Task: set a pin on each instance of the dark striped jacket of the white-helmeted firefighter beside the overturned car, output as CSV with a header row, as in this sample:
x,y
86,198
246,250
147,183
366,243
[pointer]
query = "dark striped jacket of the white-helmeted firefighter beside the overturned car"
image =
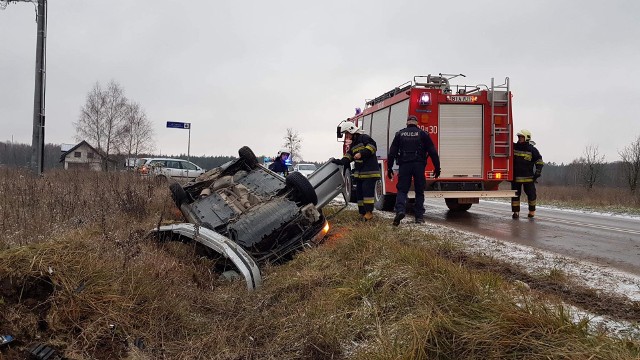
x,y
367,166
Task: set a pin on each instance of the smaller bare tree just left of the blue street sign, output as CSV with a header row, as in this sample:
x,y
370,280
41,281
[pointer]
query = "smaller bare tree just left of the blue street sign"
x,y
137,131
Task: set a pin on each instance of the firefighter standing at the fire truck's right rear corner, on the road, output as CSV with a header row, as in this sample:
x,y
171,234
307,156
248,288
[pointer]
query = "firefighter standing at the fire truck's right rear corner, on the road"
x,y
525,158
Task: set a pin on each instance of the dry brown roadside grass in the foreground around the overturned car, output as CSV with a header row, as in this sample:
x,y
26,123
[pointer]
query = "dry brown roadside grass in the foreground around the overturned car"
x,y
86,281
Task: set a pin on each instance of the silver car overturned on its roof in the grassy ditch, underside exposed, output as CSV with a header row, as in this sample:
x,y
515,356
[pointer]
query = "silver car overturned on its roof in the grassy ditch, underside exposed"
x,y
246,215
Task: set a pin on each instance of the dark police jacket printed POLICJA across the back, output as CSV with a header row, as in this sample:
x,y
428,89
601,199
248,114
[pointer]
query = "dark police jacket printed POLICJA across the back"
x,y
412,144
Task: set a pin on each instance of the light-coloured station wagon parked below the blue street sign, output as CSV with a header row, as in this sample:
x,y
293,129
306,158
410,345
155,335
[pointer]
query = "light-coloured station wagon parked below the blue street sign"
x,y
164,168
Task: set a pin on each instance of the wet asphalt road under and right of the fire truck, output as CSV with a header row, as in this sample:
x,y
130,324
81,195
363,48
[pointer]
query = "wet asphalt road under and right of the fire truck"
x,y
604,239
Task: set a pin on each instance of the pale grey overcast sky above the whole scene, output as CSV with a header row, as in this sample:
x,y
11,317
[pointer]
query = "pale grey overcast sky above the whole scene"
x,y
243,72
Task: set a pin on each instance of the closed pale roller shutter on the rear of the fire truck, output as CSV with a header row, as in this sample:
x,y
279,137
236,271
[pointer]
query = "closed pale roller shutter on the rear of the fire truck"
x,y
460,141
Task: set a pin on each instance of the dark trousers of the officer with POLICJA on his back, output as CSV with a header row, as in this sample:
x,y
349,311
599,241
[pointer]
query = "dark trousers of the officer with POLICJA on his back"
x,y
406,172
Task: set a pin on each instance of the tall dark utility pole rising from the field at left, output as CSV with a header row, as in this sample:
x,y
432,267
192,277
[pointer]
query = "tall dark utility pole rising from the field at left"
x,y
37,140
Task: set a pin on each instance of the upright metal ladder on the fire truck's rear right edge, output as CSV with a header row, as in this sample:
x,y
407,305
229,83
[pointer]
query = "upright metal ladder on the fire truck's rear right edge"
x,y
500,122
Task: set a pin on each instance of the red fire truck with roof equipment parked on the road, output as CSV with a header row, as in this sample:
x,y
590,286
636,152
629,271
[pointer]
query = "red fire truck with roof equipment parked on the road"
x,y
470,125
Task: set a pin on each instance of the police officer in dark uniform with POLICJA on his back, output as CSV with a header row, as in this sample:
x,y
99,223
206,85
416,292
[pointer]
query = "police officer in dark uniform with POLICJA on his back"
x,y
410,147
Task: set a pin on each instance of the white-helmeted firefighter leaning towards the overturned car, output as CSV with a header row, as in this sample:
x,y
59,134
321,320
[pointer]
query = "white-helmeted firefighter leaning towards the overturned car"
x,y
366,170
